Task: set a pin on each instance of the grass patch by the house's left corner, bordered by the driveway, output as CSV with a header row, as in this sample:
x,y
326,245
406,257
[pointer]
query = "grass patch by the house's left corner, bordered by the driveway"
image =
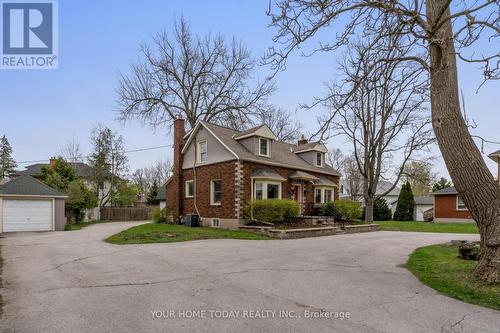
x,y
167,233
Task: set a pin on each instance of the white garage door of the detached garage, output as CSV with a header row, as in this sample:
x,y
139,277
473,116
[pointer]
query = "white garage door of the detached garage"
x,y
27,215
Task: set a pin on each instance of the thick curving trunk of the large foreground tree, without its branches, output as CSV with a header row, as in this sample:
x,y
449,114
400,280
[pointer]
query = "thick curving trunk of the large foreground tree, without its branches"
x,y
463,159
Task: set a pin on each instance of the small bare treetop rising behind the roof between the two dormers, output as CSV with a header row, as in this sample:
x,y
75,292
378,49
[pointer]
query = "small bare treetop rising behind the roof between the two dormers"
x,y
282,123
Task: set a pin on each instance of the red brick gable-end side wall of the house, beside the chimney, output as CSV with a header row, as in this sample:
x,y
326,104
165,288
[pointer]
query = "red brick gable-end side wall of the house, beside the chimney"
x,y
224,171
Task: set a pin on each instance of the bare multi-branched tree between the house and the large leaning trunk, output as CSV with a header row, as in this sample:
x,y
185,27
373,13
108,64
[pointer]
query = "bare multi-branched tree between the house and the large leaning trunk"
x,y
380,107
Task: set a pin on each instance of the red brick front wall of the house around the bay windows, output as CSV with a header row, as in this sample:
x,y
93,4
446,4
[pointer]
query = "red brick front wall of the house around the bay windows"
x,y
249,167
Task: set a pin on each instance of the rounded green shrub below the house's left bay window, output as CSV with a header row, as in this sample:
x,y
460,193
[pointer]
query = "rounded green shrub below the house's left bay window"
x,y
272,210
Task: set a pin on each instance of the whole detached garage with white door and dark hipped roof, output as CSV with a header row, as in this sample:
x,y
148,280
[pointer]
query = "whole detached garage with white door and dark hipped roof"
x,y
27,204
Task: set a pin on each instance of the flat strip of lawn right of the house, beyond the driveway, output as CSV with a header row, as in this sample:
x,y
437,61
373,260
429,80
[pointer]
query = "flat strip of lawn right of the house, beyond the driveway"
x,y
460,228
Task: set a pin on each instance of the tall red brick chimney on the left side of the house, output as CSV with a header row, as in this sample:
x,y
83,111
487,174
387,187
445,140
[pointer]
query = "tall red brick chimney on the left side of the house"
x,y
175,189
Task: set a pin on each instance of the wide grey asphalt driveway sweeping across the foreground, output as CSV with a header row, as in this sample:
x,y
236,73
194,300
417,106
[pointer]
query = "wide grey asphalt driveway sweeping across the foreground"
x,y
74,282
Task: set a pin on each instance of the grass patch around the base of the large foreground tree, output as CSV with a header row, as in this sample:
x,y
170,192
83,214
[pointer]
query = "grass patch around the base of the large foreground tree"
x,y
438,267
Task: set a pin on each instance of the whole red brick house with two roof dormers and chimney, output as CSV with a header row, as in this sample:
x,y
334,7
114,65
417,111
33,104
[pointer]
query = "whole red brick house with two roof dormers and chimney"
x,y
216,170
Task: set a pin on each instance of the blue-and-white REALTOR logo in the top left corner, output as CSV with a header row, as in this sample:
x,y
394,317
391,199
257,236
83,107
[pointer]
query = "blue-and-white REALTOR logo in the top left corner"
x,y
29,34
